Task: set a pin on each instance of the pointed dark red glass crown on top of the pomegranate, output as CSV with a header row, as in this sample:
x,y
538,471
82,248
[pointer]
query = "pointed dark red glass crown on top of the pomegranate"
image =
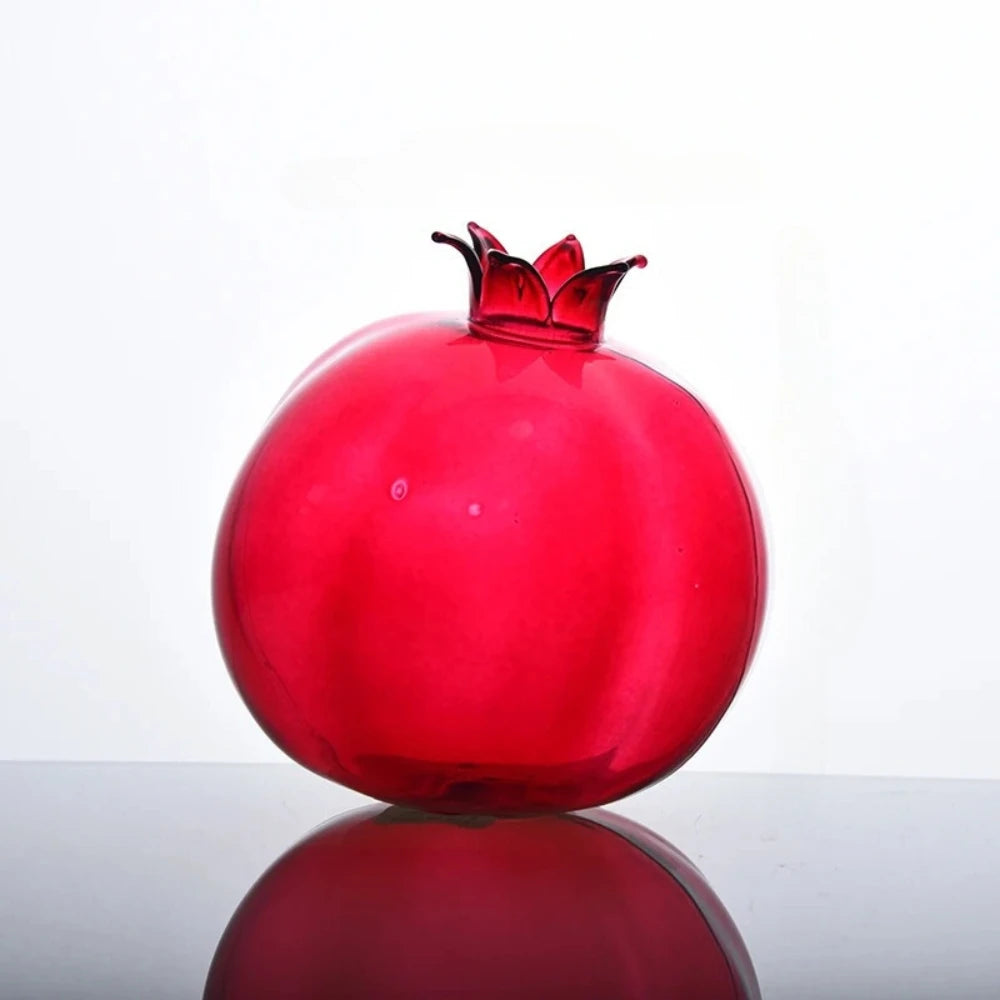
x,y
553,301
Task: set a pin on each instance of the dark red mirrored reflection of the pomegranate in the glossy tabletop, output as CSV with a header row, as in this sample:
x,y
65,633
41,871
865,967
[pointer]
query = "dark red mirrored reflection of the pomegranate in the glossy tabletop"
x,y
388,902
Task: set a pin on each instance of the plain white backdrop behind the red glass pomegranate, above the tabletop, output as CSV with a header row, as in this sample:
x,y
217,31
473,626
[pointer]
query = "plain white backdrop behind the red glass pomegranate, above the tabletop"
x,y
196,199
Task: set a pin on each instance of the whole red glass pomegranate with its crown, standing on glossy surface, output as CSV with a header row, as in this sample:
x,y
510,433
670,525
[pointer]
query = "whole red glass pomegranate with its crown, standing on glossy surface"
x,y
487,564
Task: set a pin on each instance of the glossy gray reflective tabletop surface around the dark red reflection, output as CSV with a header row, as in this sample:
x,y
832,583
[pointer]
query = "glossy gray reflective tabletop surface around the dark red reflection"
x,y
116,880
